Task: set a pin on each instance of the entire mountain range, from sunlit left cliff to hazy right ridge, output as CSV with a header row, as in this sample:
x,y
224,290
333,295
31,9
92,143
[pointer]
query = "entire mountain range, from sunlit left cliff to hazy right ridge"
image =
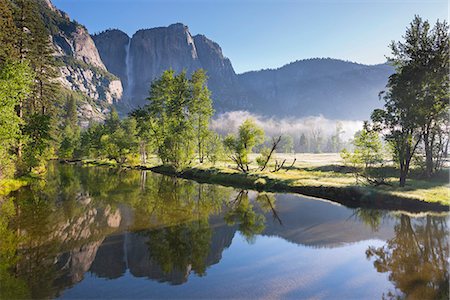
x,y
113,68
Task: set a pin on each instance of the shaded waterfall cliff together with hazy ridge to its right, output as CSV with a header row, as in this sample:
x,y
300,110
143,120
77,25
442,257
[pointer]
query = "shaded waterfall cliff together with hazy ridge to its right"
x,y
334,88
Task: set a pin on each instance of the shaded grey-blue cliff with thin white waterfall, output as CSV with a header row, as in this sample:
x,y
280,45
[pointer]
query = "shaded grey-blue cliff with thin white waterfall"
x,y
140,60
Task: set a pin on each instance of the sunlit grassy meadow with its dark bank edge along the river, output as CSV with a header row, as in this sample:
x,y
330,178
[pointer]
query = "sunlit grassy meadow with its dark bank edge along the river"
x,y
319,175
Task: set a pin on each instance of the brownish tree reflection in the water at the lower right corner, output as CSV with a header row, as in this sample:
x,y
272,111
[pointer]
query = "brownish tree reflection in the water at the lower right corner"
x,y
416,258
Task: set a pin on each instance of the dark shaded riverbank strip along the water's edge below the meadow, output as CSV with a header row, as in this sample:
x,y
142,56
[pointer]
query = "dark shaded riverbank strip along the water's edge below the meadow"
x,y
350,196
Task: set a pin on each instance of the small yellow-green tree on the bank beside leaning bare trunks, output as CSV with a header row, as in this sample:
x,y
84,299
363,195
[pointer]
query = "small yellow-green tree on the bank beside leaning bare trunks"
x,y
249,135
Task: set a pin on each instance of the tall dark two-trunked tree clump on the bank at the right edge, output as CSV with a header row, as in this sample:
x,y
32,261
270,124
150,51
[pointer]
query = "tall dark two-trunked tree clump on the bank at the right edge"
x,y
417,93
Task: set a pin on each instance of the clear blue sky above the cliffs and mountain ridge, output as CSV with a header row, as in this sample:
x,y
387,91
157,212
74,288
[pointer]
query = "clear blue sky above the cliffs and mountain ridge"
x,y
268,33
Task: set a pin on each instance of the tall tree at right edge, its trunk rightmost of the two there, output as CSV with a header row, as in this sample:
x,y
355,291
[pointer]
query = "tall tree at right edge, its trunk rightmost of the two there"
x,y
426,53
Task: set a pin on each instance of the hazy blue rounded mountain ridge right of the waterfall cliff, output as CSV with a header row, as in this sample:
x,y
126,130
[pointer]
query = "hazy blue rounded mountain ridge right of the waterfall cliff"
x,y
334,88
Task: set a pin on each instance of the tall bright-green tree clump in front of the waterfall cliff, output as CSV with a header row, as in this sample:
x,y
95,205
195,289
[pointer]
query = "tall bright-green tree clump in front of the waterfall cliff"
x,y
176,120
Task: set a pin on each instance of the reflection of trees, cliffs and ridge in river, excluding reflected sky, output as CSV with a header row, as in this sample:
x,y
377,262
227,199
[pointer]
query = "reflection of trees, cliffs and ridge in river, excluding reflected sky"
x,y
112,223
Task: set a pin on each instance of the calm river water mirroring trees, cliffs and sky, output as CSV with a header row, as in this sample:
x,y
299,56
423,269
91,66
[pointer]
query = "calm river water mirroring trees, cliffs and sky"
x,y
101,233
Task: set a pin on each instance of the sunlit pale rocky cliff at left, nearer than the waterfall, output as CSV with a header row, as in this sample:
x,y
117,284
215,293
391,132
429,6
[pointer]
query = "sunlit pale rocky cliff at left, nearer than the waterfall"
x,y
81,68
